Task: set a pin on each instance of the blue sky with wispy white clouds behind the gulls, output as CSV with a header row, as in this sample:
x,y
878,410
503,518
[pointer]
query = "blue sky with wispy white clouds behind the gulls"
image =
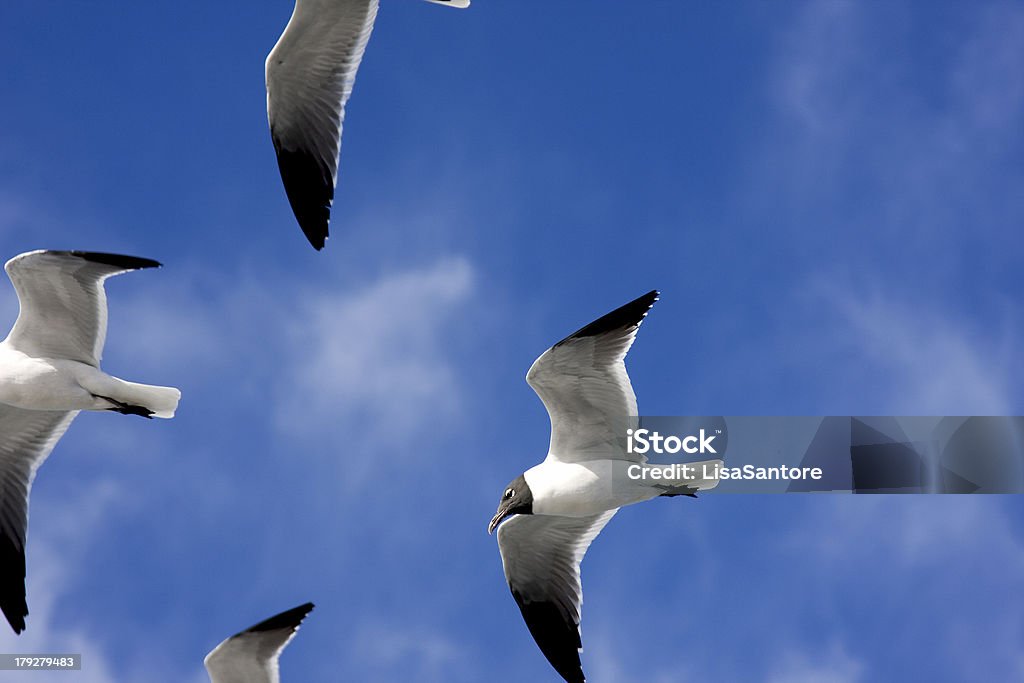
x,y
829,196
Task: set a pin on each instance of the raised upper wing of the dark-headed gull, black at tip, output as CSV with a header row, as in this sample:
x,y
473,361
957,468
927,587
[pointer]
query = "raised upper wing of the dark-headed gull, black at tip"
x,y
583,383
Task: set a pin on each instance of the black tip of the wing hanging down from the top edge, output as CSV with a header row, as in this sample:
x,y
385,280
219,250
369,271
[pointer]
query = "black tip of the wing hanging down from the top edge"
x,y
310,187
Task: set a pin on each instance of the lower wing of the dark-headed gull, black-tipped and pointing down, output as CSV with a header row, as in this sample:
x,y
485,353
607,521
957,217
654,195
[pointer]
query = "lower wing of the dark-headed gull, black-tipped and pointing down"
x,y
541,556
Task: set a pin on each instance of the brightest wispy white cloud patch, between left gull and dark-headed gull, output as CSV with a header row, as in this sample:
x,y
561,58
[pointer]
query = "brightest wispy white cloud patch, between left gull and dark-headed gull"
x,y
376,354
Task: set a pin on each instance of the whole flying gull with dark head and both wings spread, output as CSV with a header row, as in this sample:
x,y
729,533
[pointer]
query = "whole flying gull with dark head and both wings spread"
x,y
549,516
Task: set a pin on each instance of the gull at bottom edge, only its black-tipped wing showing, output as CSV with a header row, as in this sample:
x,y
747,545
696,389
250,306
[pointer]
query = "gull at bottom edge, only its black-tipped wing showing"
x,y
251,657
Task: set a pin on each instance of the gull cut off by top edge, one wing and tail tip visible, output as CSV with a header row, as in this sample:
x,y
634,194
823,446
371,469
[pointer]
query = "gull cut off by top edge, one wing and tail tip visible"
x,y
310,77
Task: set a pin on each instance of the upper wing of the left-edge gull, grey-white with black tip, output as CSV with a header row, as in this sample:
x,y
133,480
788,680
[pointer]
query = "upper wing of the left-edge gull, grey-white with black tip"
x,y
64,307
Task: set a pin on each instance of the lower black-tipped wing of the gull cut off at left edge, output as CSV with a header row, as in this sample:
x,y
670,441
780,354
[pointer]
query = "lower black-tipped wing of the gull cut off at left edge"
x,y
27,438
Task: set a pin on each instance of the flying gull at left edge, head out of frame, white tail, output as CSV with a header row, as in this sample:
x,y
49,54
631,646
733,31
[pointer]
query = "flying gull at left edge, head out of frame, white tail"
x,y
50,371
